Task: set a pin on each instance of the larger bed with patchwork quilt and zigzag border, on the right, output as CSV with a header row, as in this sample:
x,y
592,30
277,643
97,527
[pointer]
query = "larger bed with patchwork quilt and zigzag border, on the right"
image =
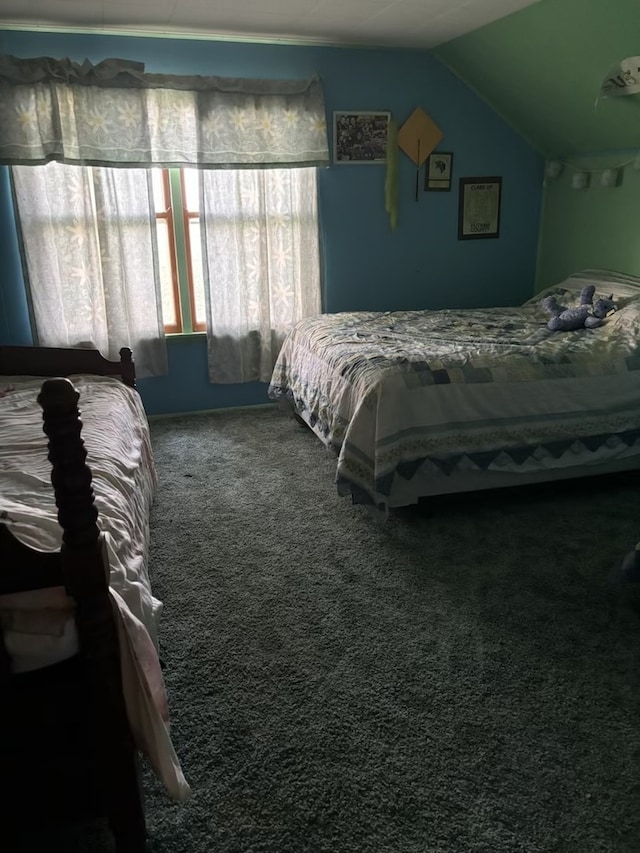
x,y
420,403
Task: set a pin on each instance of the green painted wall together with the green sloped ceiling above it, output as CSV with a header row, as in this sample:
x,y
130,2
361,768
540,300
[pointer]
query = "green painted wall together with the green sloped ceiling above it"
x,y
541,69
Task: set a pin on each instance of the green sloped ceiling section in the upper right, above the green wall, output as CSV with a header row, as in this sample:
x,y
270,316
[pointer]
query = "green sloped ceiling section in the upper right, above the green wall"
x,y
541,69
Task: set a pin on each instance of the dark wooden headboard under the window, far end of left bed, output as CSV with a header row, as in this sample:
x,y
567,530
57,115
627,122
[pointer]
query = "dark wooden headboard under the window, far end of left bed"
x,y
54,361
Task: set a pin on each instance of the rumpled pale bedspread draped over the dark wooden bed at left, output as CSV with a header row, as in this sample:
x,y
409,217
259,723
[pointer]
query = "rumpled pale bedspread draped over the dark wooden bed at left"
x,y
38,627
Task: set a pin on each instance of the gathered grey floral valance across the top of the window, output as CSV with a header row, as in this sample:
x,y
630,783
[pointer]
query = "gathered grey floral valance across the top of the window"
x,y
115,114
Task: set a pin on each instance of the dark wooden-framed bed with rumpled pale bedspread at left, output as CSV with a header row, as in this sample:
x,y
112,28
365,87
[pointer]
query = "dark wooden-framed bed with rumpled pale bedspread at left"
x,y
77,613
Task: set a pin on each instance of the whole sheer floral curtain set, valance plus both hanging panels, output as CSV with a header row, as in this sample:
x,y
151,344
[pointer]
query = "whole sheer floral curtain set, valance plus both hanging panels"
x,y
88,234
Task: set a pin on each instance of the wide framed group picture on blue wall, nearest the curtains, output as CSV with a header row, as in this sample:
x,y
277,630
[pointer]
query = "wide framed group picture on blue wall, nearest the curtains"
x,y
360,137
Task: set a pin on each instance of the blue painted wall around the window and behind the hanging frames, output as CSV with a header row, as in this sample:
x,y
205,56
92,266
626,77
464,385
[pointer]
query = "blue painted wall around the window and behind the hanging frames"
x,y
366,266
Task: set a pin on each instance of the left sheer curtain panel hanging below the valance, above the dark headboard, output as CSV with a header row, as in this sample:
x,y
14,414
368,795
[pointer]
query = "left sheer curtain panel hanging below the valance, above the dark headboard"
x,y
89,245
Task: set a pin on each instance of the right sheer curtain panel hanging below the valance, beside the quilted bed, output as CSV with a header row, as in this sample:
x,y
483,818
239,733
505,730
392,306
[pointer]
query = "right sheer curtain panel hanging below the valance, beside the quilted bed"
x,y
261,257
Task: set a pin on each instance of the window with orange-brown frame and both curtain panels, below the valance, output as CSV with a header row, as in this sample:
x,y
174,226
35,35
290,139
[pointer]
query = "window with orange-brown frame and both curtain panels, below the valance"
x,y
109,261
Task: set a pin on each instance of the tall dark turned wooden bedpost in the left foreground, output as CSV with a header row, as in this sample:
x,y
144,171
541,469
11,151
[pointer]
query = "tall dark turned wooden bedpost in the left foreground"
x,y
85,572
